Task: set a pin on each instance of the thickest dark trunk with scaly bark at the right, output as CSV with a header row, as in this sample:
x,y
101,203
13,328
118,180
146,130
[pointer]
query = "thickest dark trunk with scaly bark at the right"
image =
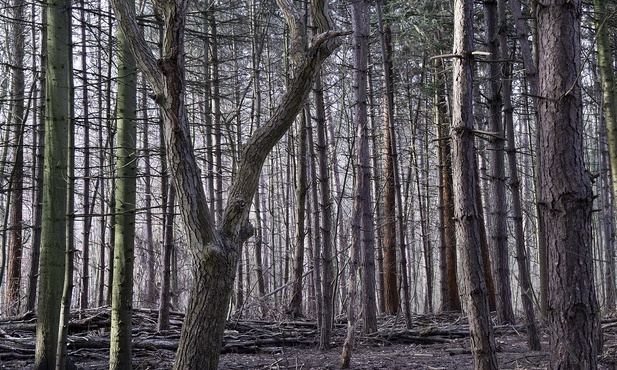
x,y
566,197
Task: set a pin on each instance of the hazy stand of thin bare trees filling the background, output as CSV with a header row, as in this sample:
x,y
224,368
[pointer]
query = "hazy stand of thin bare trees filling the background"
x,y
237,63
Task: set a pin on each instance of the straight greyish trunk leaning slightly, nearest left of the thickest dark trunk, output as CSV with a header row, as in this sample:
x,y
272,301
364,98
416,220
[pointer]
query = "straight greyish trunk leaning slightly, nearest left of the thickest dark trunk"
x,y
466,210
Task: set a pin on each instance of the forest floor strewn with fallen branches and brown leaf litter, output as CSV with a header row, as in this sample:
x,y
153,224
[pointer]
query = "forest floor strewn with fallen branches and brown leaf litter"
x,y
439,341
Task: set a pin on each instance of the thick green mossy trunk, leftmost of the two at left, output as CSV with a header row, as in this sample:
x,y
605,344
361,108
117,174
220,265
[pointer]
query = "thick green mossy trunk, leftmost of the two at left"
x,y
53,233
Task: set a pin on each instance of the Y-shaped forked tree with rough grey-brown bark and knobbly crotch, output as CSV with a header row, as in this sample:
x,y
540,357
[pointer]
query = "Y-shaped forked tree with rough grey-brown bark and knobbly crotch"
x,y
215,246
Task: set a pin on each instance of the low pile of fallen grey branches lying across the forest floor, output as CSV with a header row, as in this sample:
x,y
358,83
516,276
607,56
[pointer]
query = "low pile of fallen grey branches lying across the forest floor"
x,y
89,336
